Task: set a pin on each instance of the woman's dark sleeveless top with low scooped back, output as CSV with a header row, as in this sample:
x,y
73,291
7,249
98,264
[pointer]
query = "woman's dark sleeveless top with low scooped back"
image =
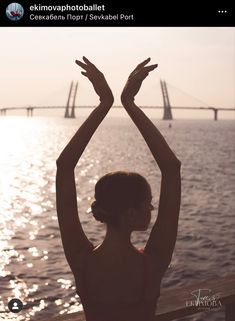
x,y
141,310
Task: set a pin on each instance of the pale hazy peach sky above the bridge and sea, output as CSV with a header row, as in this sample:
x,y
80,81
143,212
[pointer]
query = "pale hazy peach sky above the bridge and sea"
x,y
37,65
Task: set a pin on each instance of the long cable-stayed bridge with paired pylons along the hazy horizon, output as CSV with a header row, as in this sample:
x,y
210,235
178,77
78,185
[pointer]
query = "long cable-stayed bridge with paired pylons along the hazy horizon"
x,y
70,111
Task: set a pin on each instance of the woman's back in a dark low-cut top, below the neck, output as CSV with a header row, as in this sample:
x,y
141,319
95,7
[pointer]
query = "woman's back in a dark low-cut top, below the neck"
x,y
118,285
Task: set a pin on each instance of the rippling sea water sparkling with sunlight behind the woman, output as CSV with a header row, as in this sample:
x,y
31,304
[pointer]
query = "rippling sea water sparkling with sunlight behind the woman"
x,y
33,267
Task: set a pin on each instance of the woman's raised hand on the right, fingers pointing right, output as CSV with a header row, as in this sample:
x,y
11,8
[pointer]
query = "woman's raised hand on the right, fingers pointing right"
x,y
135,80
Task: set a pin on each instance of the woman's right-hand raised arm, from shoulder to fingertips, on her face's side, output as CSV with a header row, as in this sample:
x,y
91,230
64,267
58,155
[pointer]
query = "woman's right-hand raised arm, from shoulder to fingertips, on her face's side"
x,y
162,238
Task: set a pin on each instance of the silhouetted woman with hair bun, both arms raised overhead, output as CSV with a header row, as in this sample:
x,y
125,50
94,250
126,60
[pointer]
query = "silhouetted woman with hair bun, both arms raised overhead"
x,y
115,281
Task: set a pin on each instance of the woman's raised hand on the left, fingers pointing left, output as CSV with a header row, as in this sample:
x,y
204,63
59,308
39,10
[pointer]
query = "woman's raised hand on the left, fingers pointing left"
x,y
98,81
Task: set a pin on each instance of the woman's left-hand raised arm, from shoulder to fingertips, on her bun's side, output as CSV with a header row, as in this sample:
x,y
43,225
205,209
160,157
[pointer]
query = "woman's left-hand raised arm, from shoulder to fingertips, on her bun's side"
x,y
74,240
